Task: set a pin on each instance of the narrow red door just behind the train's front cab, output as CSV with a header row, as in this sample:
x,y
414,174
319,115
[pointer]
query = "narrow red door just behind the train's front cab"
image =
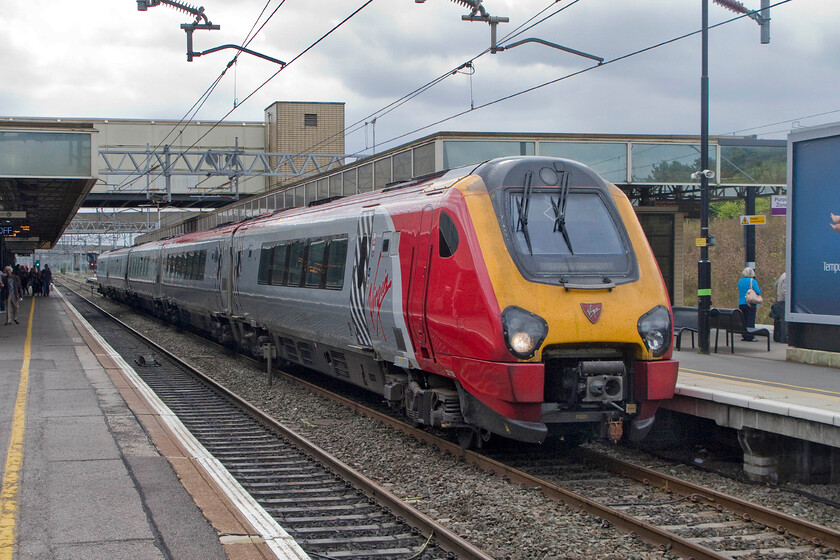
x,y
419,282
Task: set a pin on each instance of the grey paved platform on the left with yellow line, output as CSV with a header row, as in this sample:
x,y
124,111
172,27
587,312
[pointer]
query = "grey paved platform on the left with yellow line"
x,y
90,469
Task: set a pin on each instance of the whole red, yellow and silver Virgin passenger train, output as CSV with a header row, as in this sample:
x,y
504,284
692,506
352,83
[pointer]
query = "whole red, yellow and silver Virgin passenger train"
x,y
518,297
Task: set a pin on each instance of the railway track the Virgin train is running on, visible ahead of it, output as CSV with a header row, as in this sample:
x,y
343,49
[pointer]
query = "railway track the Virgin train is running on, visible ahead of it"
x,y
685,519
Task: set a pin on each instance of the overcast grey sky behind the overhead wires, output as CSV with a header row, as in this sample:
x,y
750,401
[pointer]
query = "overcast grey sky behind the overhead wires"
x,y
106,59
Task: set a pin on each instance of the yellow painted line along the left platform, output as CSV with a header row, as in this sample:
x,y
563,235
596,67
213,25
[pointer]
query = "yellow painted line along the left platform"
x,y
14,457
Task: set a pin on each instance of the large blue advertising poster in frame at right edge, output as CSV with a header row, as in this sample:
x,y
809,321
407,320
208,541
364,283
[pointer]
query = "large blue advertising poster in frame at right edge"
x,y
813,241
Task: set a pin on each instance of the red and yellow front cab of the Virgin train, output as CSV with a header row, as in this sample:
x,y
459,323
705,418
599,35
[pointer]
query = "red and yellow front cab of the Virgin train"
x,y
587,350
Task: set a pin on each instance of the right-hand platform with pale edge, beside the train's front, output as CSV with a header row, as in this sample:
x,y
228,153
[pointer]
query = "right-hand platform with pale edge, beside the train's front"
x,y
779,407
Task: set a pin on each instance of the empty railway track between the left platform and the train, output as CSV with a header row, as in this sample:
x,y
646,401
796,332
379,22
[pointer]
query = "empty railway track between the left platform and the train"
x,y
331,510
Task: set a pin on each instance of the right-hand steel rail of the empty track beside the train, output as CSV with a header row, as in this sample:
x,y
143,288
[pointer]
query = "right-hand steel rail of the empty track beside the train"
x,y
445,539
